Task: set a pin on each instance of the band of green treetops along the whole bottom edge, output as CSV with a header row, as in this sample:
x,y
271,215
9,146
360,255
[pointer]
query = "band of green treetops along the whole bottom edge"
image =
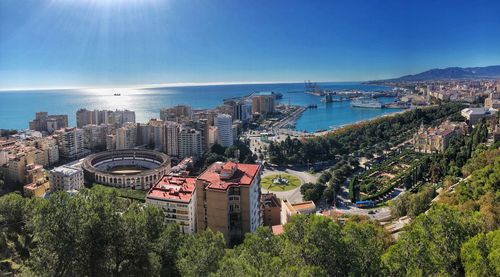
x,y
89,234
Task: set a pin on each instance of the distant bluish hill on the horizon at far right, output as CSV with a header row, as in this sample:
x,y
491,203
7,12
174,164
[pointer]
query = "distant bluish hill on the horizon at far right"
x,y
486,72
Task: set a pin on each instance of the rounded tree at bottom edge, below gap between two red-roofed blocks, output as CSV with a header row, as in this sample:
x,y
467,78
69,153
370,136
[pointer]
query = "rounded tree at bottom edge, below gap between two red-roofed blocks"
x,y
199,254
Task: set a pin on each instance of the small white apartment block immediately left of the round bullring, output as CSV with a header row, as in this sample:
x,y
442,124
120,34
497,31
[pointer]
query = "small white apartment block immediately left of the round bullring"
x,y
66,178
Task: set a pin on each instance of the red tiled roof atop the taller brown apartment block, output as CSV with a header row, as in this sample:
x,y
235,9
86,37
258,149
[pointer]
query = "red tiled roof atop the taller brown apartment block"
x,y
242,176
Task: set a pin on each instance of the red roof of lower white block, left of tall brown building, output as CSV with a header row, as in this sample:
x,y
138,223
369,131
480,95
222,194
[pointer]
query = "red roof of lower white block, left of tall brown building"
x,y
173,188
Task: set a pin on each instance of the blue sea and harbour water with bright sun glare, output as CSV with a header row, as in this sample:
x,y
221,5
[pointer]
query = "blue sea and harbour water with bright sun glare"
x,y
17,108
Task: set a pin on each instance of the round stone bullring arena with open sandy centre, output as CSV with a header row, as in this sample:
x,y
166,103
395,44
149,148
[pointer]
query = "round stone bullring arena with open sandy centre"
x,y
129,168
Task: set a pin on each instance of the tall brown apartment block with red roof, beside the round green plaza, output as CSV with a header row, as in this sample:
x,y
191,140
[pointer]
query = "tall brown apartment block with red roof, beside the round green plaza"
x,y
228,199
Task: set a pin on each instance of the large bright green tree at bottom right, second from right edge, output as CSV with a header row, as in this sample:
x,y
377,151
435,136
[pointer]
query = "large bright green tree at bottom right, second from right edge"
x,y
431,244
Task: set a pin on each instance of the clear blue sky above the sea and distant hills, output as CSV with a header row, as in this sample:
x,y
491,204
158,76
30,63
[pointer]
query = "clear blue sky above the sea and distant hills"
x,y
71,43
